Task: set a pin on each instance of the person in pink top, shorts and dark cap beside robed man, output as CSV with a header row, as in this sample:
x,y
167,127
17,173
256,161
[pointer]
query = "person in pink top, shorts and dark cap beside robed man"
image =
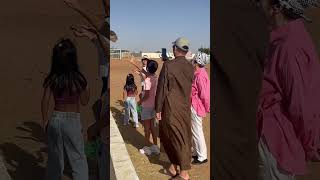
x,y
148,109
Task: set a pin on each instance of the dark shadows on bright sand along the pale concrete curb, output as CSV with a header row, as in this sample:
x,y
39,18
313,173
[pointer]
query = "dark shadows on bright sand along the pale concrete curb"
x,y
131,136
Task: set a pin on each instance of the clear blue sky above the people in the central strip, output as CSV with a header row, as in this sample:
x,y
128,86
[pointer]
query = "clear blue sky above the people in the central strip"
x,y
149,25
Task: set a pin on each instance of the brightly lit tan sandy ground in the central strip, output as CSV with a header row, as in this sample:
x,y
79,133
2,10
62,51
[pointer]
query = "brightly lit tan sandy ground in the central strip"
x,y
146,167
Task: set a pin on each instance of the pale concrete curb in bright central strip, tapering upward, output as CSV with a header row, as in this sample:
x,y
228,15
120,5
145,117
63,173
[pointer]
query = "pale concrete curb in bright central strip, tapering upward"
x,y
120,159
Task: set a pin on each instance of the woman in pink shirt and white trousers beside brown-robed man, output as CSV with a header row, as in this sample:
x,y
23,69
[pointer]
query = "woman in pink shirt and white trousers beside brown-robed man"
x,y
200,105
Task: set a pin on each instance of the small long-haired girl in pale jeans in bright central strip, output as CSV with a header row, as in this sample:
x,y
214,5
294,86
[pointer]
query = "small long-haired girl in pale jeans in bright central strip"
x,y
129,97
